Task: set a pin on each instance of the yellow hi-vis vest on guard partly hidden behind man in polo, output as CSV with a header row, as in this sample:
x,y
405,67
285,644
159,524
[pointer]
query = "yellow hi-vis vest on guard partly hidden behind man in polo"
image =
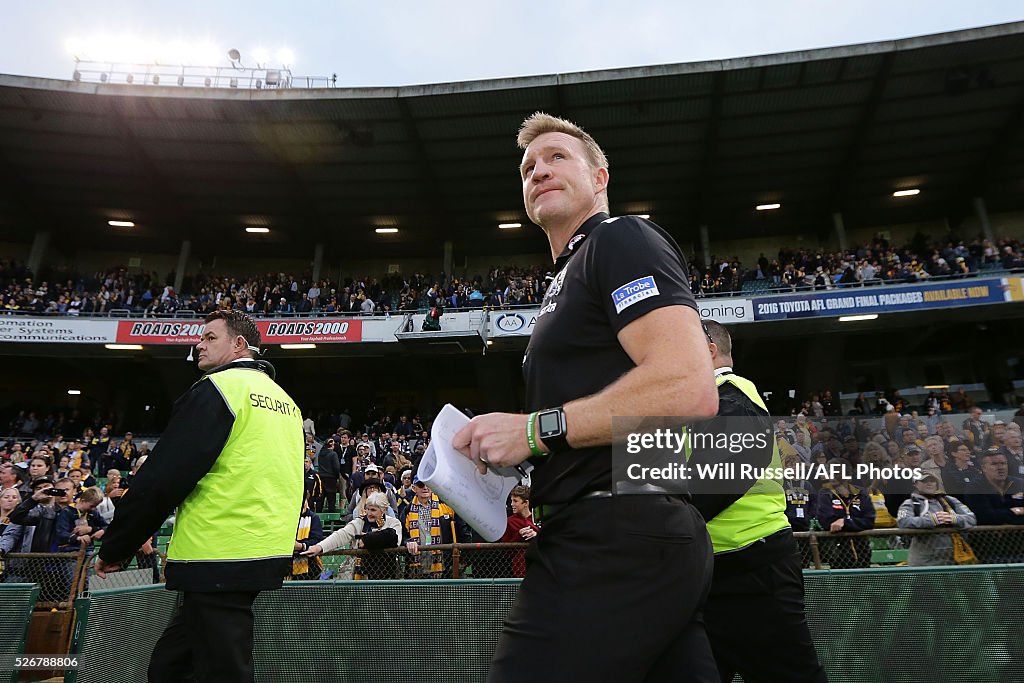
x,y
761,511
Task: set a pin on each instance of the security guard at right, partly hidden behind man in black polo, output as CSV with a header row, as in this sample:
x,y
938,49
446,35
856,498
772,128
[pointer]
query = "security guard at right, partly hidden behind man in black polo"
x,y
755,613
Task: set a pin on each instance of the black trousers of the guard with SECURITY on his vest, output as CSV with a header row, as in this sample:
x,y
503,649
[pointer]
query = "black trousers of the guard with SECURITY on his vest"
x,y
209,641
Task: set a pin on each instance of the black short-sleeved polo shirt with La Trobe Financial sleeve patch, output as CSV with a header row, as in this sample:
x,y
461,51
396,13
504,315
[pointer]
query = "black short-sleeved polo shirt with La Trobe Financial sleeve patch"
x,y
613,272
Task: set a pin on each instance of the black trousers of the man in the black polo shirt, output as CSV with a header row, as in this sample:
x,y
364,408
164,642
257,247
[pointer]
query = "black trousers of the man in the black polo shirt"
x,y
614,591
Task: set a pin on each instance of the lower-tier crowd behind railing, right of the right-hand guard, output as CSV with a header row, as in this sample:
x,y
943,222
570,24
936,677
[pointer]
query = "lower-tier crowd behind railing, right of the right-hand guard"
x,y
970,474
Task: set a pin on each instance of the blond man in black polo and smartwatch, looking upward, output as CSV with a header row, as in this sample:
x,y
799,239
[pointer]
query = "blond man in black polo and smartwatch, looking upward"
x,y
618,334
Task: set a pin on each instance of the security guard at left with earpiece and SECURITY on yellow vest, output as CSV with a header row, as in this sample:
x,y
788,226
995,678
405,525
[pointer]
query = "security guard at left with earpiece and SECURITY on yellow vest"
x,y
235,528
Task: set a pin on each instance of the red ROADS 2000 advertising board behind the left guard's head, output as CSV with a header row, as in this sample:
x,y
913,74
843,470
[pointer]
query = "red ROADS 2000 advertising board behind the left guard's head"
x,y
273,332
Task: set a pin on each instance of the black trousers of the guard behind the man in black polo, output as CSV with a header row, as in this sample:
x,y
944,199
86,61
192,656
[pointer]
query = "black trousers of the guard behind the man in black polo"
x,y
756,619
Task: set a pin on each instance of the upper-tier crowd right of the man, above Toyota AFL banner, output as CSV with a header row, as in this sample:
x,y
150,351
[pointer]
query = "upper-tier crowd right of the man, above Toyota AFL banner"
x,y
875,264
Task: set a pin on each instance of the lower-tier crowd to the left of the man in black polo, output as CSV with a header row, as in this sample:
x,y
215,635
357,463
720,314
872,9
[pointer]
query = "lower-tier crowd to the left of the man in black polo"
x,y
366,475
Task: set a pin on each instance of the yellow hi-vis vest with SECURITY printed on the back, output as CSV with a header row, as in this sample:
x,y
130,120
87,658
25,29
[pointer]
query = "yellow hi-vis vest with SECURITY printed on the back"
x,y
247,506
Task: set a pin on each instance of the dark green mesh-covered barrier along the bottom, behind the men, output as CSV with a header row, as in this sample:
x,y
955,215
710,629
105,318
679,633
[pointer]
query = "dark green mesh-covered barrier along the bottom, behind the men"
x,y
951,625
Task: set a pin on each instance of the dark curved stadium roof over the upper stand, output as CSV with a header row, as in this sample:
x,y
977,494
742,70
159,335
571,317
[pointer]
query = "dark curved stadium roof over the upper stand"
x,y
693,144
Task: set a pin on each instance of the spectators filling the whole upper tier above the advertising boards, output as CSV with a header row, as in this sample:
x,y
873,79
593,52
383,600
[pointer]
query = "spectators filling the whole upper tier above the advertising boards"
x,y
61,291
